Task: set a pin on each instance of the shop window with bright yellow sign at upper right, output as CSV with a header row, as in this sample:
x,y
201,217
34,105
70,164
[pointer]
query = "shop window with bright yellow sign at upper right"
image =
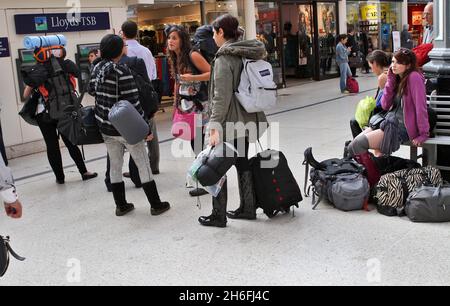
x,y
377,20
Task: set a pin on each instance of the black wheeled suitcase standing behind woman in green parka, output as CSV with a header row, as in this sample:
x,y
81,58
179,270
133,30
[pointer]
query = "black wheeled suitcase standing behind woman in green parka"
x,y
275,186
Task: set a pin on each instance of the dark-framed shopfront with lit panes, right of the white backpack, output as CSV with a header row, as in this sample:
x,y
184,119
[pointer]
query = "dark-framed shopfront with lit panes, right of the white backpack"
x,y
309,40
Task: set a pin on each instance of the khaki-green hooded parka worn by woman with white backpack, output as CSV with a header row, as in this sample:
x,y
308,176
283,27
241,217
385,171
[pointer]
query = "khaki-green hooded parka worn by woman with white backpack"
x,y
225,78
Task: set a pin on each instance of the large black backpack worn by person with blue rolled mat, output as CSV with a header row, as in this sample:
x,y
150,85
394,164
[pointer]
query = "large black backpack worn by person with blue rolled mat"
x,y
61,91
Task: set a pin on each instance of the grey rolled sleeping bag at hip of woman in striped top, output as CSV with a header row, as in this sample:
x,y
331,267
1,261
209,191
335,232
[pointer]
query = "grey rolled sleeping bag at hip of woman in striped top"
x,y
128,122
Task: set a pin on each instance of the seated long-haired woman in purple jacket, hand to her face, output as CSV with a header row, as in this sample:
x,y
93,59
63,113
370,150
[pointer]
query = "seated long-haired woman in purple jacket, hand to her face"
x,y
405,96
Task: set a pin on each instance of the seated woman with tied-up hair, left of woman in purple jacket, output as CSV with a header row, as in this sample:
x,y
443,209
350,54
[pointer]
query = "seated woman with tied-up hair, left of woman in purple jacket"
x,y
379,63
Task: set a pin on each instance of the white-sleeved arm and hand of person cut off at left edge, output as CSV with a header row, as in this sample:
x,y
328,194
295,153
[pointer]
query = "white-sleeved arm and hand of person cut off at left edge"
x,y
13,207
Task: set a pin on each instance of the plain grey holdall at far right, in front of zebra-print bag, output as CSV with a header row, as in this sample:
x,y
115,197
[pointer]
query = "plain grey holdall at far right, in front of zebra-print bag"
x,y
429,204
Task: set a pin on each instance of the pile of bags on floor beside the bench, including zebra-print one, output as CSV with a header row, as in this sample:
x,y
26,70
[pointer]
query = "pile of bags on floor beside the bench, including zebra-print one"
x,y
397,186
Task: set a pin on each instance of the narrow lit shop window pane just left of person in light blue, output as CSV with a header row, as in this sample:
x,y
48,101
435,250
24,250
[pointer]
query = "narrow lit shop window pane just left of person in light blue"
x,y
327,37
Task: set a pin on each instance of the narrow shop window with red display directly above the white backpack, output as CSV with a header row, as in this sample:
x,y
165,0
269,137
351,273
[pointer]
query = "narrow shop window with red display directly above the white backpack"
x,y
267,31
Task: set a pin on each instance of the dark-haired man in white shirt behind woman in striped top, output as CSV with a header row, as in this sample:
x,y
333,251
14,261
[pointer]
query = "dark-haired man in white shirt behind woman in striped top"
x,y
129,33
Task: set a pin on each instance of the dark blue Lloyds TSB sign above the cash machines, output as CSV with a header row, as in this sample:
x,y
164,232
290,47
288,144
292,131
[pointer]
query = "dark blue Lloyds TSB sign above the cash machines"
x,y
57,23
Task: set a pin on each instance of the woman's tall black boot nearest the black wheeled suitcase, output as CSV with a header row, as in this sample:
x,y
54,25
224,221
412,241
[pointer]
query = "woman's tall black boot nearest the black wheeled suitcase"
x,y
247,208
